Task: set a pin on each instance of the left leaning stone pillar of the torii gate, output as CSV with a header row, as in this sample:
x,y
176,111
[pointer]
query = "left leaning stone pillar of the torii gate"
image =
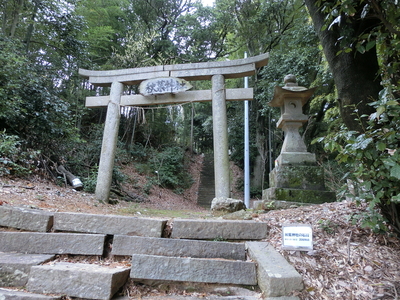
x,y
109,145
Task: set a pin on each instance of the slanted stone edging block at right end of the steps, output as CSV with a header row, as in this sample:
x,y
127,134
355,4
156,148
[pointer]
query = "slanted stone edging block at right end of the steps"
x,y
276,277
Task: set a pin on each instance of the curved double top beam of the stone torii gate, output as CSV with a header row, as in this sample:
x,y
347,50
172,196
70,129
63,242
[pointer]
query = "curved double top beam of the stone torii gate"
x,y
193,71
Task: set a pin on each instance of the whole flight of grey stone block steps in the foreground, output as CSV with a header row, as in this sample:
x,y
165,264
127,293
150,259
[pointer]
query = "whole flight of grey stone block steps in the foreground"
x,y
190,254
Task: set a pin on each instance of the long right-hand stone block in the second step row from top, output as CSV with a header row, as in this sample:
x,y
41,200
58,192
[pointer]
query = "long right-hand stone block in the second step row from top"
x,y
128,245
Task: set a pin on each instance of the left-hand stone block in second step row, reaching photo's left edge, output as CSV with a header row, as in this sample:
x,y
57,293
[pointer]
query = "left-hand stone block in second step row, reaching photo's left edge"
x,y
52,243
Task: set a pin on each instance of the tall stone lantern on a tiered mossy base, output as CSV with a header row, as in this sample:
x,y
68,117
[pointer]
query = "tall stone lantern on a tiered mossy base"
x,y
296,176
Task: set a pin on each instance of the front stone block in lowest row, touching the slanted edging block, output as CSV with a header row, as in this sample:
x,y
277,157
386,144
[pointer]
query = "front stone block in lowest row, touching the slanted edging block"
x,y
152,267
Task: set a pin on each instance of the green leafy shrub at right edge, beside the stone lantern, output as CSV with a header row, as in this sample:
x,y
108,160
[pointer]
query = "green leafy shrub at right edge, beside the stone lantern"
x,y
374,158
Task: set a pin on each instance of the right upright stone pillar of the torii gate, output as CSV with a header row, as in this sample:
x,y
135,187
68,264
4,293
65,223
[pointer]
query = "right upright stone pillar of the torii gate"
x,y
220,137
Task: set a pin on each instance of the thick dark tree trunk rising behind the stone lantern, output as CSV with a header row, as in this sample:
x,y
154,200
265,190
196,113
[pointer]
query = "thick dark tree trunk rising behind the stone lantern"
x,y
356,75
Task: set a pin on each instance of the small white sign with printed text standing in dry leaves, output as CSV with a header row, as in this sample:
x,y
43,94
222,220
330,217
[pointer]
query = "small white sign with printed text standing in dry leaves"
x,y
297,237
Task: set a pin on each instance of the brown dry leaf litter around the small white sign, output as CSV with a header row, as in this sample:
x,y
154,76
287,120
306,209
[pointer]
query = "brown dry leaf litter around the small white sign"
x,y
347,261
